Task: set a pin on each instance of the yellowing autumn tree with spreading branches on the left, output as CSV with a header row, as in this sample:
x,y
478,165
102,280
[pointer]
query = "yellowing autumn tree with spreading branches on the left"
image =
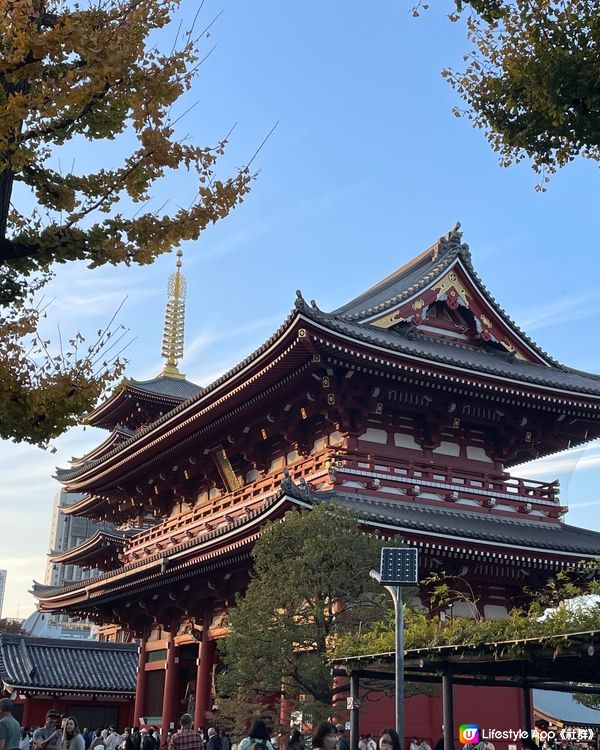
x,y
92,74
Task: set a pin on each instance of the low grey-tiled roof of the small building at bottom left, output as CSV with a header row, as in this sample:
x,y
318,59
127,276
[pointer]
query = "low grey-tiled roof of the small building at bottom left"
x,y
63,666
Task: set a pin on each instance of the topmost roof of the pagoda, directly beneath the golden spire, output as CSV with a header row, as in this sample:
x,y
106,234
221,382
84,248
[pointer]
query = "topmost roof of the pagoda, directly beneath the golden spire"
x,y
163,392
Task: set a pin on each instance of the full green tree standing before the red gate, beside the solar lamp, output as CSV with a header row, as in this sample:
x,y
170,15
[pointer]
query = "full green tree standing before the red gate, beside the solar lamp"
x,y
311,585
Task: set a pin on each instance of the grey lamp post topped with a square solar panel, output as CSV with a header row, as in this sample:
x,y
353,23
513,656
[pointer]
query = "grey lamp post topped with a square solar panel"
x,y
398,568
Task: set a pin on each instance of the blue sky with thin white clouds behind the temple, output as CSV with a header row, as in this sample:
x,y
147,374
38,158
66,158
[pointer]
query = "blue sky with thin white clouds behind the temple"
x,y
366,168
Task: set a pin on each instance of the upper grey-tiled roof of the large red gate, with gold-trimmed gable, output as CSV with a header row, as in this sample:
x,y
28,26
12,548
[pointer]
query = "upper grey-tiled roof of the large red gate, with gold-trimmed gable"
x,y
365,330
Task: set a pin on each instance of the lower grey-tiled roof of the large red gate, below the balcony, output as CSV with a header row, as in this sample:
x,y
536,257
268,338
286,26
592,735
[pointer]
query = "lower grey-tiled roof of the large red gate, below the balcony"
x,y
541,543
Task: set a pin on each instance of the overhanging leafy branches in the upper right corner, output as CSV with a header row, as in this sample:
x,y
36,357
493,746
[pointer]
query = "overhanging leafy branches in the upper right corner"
x,y
531,80
